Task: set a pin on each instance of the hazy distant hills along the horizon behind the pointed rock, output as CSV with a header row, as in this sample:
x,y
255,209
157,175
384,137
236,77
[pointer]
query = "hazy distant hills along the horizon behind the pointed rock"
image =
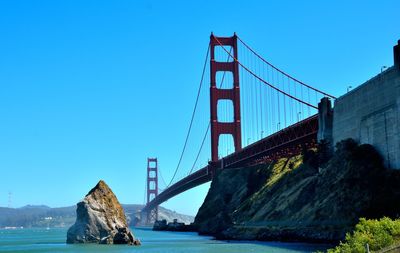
x,y
44,216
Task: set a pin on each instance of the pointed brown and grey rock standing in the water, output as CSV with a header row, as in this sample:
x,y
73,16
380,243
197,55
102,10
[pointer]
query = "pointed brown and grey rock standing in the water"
x,y
100,218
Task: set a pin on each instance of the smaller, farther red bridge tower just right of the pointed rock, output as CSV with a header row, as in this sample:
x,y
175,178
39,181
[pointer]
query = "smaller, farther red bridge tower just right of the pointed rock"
x,y
152,188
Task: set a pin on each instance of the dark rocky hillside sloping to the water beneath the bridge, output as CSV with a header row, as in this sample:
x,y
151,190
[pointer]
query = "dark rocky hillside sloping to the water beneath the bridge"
x,y
301,198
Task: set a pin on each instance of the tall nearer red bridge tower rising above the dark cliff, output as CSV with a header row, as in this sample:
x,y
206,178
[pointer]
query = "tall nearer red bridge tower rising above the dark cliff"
x,y
233,94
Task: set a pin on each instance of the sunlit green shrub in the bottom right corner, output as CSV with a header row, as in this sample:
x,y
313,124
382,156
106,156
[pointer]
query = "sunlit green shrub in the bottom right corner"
x,y
377,233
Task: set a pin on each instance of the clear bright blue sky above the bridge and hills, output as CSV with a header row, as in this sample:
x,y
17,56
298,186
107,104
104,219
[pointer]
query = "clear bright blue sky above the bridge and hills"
x,y
90,89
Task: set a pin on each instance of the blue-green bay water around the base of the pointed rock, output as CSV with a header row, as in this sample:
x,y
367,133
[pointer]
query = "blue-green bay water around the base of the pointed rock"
x,y
53,240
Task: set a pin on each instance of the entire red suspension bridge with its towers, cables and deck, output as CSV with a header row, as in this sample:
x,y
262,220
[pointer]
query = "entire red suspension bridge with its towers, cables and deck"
x,y
276,111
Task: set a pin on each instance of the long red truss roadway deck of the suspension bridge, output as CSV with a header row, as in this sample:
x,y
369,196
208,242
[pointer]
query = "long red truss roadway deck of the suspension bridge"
x,y
286,142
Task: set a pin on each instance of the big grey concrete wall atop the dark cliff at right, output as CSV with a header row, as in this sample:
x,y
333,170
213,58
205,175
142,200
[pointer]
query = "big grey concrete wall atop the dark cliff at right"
x,y
371,114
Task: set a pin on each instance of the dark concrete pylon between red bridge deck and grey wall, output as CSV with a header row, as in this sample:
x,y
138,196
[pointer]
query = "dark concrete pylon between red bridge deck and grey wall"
x,y
325,121
